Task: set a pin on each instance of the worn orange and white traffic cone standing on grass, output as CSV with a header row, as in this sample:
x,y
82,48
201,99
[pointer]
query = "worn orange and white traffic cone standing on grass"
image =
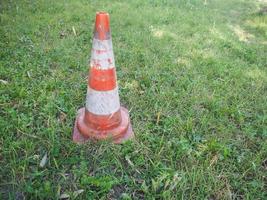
x,y
103,117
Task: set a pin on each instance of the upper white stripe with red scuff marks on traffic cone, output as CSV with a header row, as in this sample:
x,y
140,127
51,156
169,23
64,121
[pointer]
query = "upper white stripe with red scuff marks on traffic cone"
x,y
102,54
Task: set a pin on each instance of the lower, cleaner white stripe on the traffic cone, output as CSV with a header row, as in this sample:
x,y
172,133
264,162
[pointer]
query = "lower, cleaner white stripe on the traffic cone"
x,y
102,102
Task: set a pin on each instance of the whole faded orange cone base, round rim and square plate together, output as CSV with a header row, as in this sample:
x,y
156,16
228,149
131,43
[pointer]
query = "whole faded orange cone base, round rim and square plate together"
x,y
83,133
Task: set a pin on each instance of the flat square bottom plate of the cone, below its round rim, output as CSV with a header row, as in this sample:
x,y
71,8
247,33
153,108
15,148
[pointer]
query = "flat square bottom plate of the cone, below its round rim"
x,y
81,139
